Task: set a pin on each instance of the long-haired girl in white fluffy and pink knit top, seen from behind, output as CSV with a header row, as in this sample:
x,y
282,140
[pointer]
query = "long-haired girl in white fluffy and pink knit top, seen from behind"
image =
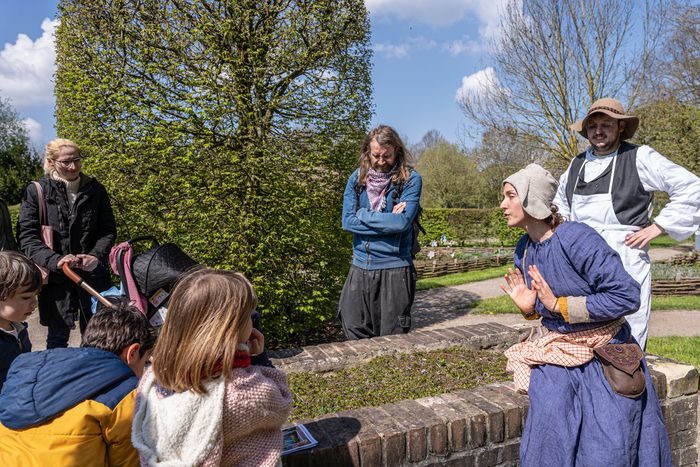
x,y
201,402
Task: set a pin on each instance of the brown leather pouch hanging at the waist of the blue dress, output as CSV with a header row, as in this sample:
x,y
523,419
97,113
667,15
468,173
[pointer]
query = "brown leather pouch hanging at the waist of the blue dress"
x,y
622,368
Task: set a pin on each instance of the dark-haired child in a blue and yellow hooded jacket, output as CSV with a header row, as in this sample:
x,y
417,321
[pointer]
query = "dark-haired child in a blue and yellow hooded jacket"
x,y
73,406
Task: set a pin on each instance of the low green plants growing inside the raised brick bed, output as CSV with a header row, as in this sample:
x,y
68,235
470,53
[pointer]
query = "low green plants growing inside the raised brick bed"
x,y
388,379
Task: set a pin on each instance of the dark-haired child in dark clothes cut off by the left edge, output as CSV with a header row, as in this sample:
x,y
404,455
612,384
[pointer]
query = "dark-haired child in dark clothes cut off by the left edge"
x,y
20,281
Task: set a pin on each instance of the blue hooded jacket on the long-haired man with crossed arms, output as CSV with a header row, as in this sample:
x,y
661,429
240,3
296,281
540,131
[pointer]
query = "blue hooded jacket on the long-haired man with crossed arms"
x,y
381,240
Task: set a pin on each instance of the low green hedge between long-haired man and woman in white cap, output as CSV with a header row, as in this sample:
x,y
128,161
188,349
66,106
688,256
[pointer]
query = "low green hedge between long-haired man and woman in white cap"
x,y
468,226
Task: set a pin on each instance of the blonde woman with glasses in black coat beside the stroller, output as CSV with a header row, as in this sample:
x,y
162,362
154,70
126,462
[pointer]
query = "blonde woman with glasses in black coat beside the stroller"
x,y
84,230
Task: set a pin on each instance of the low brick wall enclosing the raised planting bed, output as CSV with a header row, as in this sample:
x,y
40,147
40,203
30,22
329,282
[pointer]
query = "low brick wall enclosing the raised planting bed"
x,y
480,427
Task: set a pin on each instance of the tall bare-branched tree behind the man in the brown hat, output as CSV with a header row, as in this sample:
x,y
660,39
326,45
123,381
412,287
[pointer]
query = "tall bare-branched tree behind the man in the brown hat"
x,y
553,58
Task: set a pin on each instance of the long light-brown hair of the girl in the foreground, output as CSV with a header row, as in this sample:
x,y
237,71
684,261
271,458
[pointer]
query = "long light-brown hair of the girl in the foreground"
x,y
207,310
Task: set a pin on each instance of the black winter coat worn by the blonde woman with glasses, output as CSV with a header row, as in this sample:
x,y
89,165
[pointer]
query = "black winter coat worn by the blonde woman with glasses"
x,y
87,228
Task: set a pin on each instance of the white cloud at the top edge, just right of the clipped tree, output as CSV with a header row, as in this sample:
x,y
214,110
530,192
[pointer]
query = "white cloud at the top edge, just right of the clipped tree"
x,y
437,13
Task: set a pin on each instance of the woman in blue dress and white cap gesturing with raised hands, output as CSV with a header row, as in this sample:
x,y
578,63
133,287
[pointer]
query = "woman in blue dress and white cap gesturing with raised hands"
x,y
567,276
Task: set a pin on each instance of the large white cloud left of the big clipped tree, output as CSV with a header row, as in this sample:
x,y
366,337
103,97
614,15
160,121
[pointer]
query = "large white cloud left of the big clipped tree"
x,y
27,68
